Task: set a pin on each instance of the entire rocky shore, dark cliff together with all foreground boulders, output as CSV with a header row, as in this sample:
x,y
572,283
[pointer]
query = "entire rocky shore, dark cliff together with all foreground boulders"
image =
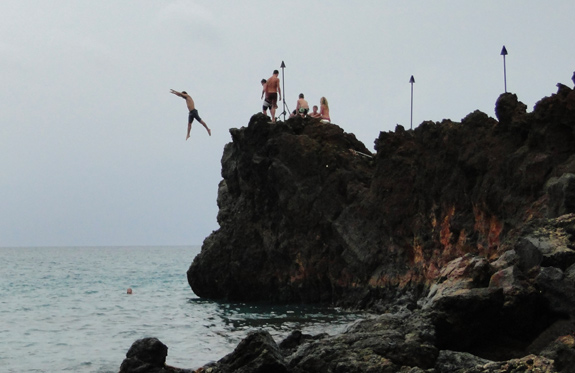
x,y
459,236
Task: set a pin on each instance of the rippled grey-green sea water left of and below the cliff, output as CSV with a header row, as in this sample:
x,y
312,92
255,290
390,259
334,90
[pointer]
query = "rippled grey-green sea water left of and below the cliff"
x,y
67,310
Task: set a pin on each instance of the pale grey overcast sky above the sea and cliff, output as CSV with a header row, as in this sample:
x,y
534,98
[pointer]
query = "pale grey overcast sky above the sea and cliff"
x,y
92,144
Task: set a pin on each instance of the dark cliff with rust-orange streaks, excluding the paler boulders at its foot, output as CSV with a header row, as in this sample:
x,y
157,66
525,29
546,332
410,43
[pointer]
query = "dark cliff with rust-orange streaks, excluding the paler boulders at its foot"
x,y
304,217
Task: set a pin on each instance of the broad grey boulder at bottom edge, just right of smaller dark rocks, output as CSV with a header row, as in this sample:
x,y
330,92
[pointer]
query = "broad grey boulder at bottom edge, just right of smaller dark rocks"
x,y
383,344
